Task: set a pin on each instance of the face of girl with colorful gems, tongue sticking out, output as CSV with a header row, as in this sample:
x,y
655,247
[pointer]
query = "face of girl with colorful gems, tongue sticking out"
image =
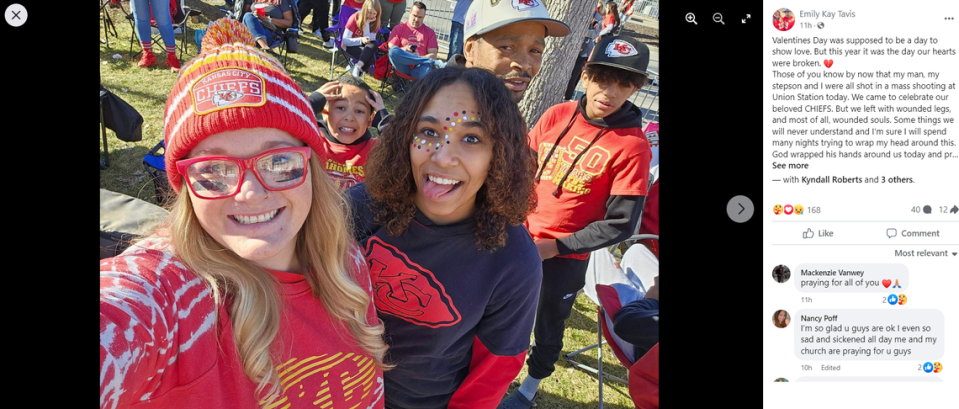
x,y
450,155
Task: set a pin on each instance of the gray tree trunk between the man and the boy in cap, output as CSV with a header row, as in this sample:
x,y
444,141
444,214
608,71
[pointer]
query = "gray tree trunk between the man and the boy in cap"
x,y
549,85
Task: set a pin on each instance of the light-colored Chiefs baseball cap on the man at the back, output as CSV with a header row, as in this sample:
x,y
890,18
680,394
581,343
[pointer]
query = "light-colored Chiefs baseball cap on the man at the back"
x,y
484,16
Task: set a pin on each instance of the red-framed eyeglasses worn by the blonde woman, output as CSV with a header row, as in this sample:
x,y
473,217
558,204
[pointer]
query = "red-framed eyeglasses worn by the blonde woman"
x,y
220,177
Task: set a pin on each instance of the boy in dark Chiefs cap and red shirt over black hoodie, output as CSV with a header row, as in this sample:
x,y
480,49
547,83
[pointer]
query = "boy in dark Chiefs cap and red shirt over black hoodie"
x,y
591,186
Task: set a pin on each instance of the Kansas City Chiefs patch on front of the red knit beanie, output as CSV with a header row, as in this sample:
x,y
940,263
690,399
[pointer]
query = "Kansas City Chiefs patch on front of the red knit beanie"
x,y
227,88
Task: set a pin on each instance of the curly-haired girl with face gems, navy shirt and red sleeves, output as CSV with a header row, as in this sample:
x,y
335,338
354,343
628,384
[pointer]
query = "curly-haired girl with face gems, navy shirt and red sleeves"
x,y
455,275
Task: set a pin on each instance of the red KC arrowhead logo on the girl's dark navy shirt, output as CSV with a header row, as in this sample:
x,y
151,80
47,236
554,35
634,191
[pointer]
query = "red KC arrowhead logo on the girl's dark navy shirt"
x,y
405,289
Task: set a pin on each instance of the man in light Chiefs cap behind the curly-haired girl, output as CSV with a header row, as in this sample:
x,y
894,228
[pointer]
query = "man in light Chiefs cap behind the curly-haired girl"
x,y
508,38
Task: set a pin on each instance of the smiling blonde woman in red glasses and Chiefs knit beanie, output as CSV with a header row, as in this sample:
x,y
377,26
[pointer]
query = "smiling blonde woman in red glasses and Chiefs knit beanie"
x,y
252,293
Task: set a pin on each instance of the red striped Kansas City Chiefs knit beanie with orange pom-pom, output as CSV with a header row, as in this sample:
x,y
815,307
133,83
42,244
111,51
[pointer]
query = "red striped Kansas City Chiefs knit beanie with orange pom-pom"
x,y
232,85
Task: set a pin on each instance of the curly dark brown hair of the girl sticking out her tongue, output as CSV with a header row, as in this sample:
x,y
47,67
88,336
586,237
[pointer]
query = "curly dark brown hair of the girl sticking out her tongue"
x,y
507,195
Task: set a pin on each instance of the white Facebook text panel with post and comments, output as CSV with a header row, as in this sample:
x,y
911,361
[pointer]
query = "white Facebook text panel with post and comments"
x,y
860,201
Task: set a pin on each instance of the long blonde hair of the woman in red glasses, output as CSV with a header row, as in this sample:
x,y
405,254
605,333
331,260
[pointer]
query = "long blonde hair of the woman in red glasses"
x,y
323,247
